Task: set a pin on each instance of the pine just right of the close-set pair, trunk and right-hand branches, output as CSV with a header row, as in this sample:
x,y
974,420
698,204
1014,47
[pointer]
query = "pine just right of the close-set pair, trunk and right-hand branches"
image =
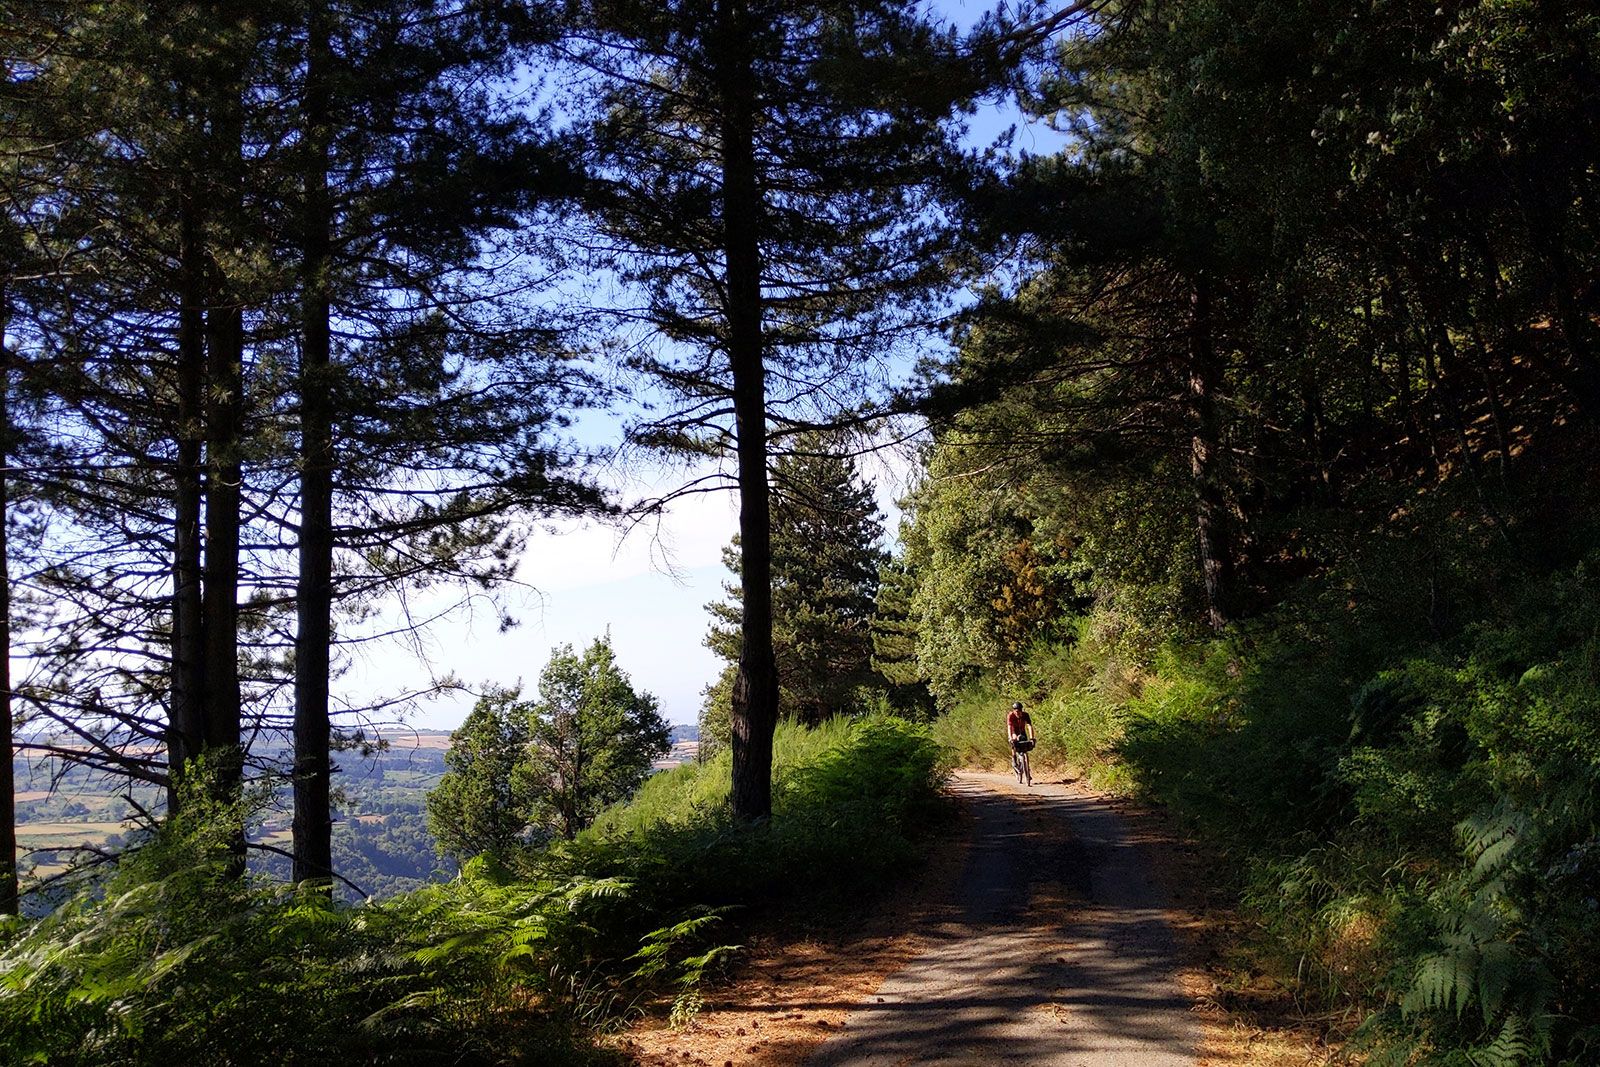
x,y
404,166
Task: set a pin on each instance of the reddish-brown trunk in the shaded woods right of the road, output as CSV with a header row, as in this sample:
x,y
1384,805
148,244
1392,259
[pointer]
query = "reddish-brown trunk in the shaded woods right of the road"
x,y
1212,522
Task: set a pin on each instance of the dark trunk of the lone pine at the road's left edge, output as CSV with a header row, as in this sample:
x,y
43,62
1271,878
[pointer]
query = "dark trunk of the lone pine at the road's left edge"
x,y
756,685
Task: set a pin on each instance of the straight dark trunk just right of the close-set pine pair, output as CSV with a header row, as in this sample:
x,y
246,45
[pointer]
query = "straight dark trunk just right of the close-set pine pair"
x,y
314,586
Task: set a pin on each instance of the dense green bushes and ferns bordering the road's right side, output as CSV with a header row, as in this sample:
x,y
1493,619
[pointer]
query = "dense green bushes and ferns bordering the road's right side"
x,y
1418,839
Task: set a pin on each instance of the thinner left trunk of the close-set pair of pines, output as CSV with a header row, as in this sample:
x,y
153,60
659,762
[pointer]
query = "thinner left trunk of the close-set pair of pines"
x,y
186,733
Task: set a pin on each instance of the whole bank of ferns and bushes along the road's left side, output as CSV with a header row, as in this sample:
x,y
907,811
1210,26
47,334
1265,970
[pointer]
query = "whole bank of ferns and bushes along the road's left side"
x,y
174,962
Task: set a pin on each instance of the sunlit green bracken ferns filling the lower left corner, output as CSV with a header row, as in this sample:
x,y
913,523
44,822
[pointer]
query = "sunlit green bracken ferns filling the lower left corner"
x,y
177,962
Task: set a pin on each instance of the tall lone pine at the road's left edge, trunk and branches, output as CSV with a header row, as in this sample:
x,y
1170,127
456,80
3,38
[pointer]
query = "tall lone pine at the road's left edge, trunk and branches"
x,y
764,175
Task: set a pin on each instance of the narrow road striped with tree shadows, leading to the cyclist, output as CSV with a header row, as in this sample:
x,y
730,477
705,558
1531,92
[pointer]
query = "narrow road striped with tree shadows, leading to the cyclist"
x,y
1058,957
